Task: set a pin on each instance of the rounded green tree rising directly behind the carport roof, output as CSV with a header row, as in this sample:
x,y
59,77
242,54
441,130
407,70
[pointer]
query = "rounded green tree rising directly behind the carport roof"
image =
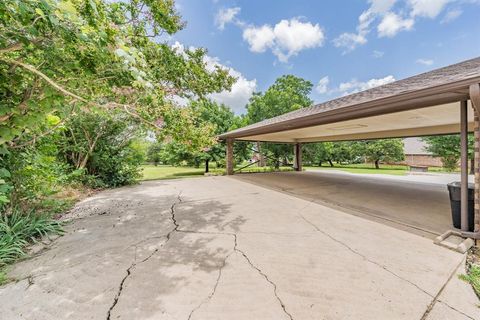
x,y
287,94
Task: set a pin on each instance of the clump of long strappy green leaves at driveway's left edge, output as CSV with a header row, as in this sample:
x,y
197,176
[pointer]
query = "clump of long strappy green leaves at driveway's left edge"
x,y
17,230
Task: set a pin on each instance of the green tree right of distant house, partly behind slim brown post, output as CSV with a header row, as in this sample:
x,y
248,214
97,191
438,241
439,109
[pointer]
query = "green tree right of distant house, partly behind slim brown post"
x,y
447,147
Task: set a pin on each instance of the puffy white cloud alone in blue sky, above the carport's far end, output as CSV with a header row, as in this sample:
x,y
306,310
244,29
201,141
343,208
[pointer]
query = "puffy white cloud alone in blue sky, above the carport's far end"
x,y
286,39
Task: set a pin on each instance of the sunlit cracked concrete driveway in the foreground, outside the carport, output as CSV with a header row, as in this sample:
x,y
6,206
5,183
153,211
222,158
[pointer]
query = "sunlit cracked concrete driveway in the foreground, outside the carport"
x,y
220,248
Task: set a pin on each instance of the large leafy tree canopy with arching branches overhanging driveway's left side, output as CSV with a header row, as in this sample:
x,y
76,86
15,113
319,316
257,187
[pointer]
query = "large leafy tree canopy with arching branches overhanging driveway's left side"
x,y
63,56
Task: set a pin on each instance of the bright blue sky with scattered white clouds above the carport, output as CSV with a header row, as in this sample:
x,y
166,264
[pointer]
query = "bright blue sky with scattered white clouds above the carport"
x,y
340,46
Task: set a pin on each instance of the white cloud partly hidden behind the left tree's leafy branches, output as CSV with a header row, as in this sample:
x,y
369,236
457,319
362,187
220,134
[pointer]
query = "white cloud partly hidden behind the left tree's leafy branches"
x,y
237,97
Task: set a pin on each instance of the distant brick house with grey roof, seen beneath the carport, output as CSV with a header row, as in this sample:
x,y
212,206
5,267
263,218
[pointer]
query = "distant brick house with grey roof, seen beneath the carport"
x,y
416,155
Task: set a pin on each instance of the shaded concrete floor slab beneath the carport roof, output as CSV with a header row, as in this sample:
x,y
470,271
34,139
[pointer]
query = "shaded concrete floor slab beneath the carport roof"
x,y
415,203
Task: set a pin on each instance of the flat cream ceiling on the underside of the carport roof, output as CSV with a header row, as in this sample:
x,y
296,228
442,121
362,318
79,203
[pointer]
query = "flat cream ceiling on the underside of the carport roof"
x,y
439,119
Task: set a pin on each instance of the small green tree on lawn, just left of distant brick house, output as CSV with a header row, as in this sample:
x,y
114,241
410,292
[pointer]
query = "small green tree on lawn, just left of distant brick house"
x,y
382,150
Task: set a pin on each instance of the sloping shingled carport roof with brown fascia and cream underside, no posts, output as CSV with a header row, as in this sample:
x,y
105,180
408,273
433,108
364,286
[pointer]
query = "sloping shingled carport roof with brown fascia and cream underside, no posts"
x,y
438,88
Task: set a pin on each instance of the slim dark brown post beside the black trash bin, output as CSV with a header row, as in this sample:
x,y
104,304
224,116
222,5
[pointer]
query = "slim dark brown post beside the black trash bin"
x,y
464,165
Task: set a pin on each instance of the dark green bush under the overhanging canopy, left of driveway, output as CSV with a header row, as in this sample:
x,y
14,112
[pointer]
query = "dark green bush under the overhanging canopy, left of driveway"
x,y
104,147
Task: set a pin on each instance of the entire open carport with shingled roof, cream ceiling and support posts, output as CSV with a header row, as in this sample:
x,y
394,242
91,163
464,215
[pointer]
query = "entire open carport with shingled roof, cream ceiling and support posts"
x,y
442,101
